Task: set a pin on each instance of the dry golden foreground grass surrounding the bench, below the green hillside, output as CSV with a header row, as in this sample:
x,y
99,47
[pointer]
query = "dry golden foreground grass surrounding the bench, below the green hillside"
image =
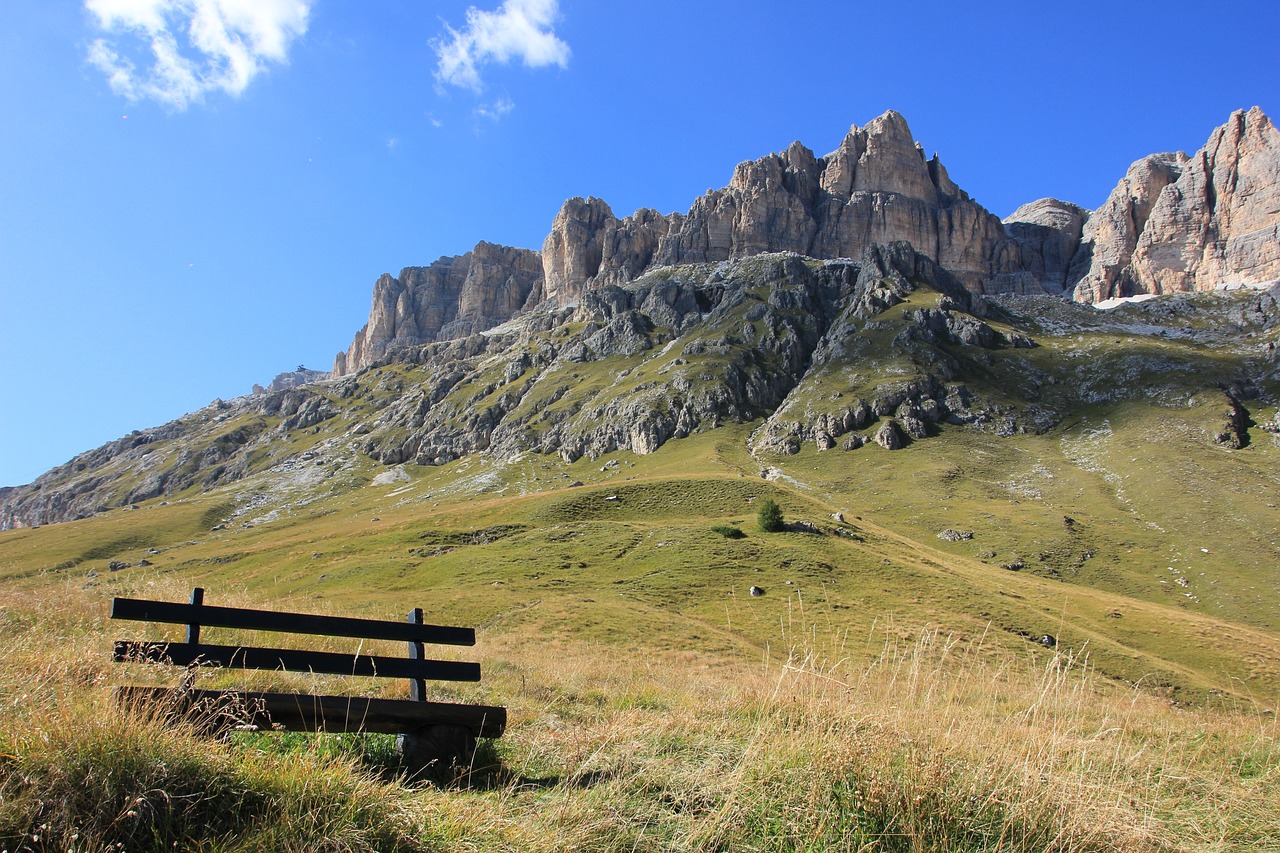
x,y
934,745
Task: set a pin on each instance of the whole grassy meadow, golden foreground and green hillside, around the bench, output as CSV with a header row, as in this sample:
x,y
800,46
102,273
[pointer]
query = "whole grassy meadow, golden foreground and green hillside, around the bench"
x,y
890,691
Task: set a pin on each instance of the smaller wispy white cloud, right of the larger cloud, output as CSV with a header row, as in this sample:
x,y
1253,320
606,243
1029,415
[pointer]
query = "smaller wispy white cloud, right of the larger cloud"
x,y
519,30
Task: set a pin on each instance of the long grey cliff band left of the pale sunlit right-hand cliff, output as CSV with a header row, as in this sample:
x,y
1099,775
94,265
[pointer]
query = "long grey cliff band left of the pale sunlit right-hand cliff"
x,y
877,188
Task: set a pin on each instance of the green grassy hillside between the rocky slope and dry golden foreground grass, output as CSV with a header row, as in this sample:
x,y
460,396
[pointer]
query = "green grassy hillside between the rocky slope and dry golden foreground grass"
x,y
1117,546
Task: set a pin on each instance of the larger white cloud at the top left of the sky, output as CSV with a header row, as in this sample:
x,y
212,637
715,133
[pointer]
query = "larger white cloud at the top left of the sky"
x,y
190,48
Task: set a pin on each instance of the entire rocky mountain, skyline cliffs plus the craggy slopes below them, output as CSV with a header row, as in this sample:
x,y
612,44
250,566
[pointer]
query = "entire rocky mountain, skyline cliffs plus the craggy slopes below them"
x,y
842,302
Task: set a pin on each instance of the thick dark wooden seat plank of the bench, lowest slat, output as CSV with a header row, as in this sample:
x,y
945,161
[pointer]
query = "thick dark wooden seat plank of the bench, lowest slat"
x,y
333,714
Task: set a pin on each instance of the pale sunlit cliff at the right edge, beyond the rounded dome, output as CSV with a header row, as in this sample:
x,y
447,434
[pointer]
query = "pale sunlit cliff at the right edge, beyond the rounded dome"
x,y
1199,223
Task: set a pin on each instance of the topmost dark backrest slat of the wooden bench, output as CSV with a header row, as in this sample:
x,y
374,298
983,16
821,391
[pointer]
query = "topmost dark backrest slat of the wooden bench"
x,y
267,621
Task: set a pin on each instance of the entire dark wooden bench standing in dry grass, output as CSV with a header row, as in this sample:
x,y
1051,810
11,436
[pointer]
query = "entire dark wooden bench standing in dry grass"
x,y
429,733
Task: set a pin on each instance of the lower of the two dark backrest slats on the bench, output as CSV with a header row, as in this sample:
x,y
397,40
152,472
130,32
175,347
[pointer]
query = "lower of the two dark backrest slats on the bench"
x,y
298,662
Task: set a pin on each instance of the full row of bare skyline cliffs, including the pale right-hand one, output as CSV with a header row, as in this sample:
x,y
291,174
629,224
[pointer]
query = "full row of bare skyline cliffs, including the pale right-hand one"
x,y
1173,223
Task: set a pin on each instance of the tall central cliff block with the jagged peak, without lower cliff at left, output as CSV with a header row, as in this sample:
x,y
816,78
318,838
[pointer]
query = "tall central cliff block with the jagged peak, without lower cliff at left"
x,y
877,188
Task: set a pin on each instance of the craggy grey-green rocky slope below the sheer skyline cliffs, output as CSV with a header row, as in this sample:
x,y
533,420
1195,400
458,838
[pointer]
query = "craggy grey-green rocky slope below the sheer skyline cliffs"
x,y
830,354
